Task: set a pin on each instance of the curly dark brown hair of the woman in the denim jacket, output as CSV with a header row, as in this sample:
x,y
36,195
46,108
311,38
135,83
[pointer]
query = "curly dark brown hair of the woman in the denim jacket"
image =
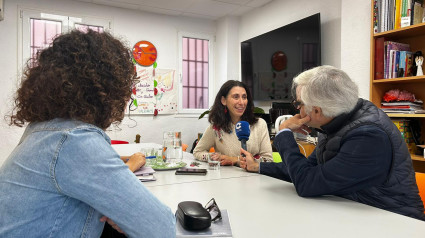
x,y
81,76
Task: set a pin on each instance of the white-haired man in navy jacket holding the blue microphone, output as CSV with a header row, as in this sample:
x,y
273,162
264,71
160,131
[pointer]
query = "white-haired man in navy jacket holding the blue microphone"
x,y
360,155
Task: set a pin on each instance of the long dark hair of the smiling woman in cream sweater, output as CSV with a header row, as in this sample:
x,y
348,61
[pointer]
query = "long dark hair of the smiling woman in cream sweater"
x,y
222,120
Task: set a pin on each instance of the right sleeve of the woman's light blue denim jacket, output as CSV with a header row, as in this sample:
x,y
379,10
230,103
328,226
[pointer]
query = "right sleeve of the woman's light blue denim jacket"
x,y
89,169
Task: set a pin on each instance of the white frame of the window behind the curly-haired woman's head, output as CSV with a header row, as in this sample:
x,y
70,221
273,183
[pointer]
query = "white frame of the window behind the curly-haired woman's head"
x,y
68,20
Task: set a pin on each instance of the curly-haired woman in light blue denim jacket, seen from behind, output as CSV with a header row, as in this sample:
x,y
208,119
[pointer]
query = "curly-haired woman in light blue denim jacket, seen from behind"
x,y
64,176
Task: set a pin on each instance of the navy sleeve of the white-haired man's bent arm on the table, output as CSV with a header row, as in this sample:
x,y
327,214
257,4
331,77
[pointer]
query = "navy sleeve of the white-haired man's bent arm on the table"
x,y
363,160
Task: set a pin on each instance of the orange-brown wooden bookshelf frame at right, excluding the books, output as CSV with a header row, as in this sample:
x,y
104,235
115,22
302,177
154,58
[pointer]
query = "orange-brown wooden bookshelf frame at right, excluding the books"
x,y
414,36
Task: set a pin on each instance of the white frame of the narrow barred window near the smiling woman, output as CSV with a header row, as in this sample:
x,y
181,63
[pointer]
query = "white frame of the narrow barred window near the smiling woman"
x,y
211,95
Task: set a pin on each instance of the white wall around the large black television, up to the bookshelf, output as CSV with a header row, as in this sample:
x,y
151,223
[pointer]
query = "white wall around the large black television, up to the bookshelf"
x,y
345,28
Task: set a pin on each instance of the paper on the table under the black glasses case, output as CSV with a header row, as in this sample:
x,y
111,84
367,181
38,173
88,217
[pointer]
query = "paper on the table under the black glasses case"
x,y
220,228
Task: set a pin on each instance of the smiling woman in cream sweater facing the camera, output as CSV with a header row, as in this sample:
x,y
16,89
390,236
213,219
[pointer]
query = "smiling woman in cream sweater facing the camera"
x,y
233,103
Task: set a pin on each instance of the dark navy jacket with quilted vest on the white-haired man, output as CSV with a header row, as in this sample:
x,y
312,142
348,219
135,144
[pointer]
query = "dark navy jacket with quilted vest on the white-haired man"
x,y
360,156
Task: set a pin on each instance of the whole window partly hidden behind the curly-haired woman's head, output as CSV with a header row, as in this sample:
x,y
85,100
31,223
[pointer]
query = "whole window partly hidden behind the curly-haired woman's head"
x,y
38,29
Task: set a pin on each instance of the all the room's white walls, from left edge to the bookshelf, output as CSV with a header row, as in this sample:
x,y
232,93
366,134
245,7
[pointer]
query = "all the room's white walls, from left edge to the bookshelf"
x,y
345,44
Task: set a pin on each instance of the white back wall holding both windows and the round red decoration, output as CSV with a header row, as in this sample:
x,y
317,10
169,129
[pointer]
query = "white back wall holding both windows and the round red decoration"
x,y
132,26
